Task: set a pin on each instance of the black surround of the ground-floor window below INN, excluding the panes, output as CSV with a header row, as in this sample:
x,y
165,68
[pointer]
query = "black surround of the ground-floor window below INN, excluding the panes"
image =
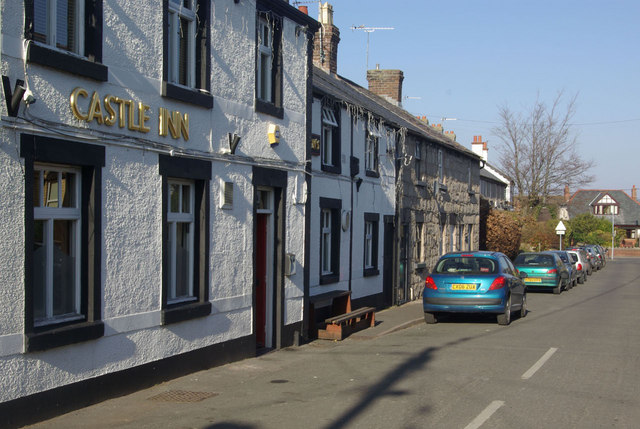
x,y
198,171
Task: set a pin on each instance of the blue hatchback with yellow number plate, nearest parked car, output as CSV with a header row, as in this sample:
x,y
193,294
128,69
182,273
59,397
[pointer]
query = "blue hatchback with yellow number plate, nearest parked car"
x,y
474,282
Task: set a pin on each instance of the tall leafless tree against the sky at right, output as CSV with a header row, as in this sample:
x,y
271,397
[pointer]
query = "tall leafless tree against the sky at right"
x,y
539,152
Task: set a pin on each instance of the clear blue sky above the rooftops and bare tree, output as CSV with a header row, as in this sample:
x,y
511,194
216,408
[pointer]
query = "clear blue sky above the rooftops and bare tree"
x,y
466,58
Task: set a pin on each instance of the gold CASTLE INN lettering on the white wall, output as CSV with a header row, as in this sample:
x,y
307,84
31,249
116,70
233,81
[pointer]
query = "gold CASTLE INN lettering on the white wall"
x,y
131,114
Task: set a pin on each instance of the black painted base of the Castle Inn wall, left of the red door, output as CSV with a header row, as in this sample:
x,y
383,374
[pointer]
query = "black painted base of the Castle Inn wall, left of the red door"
x,y
61,400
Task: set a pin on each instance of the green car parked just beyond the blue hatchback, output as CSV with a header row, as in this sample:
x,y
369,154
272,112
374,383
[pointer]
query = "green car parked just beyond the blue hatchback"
x,y
544,271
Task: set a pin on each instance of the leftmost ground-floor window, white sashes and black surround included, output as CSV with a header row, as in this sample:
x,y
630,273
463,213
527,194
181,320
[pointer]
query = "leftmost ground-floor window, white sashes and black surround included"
x,y
63,205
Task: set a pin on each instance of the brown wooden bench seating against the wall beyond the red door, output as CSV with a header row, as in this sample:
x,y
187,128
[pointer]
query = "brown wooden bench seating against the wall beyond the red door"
x,y
341,321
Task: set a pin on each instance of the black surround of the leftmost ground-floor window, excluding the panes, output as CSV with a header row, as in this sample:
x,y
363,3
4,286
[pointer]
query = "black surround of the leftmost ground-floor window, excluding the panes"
x,y
91,160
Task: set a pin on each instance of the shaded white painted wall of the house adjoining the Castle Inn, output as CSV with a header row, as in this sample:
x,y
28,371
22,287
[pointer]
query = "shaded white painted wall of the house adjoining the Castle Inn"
x,y
376,195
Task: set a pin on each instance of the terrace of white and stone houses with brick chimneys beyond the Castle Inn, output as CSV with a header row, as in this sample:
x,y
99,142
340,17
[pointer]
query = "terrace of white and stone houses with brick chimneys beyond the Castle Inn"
x,y
390,193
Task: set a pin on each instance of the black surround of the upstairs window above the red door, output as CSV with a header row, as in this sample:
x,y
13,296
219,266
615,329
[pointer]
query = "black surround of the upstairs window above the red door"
x,y
273,107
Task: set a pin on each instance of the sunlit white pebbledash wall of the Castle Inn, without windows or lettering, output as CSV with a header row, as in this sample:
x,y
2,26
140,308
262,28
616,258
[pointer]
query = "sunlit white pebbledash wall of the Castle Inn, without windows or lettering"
x,y
132,204
